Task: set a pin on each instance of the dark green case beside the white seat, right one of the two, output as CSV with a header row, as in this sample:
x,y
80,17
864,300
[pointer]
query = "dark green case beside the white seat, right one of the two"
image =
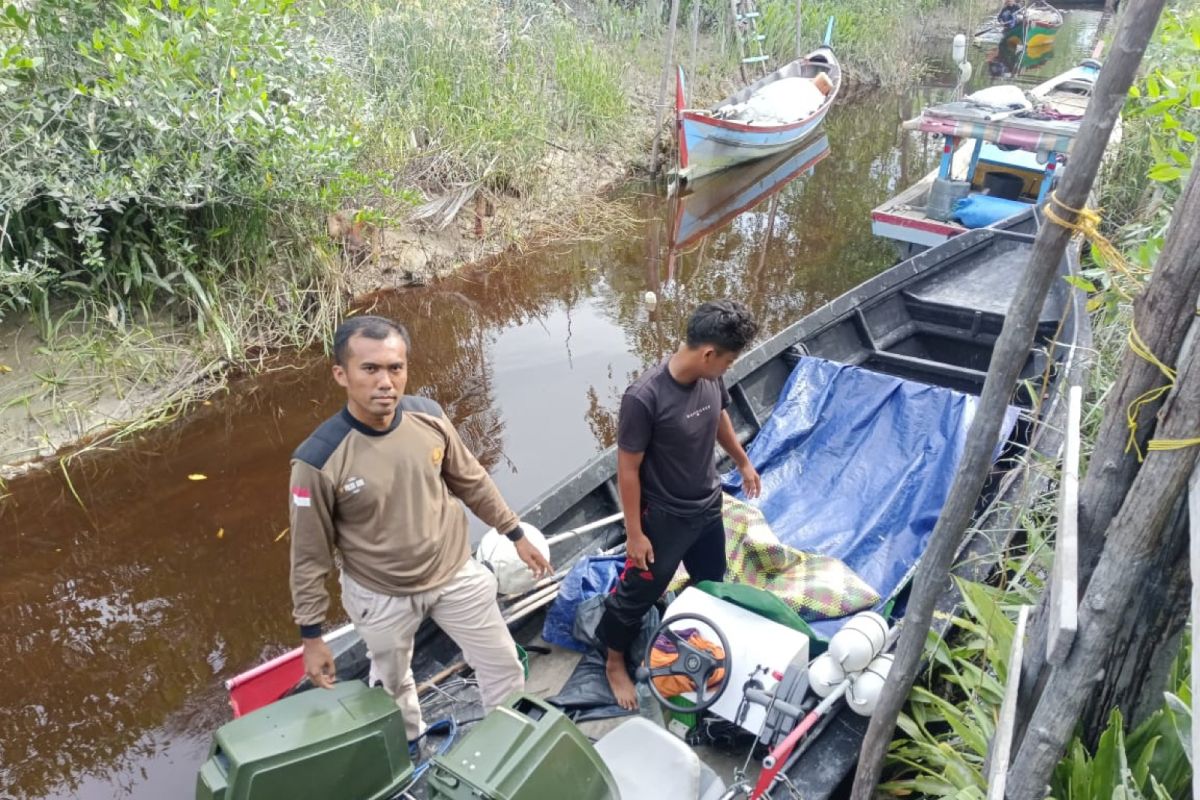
x,y
525,750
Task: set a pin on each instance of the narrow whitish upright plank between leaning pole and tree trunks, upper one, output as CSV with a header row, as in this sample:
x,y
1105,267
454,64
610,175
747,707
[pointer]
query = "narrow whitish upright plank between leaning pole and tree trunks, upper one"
x,y
1065,580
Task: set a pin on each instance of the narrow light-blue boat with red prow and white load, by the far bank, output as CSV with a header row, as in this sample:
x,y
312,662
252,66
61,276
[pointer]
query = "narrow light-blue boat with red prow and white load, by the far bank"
x,y
709,143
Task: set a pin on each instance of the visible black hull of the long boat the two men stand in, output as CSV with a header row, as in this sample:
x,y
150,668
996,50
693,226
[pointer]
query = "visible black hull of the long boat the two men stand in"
x,y
934,318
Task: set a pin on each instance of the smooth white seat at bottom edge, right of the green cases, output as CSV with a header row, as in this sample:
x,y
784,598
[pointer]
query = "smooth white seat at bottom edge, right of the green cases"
x,y
647,762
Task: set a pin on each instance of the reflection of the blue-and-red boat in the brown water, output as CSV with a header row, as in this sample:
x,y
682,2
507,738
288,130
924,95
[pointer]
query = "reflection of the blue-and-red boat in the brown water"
x,y
713,202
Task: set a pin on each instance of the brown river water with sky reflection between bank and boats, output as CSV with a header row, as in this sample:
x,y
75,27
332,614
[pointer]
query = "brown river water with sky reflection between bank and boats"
x,y
127,607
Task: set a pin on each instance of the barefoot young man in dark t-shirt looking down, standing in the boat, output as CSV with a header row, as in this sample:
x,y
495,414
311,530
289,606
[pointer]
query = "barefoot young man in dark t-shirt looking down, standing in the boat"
x,y
670,420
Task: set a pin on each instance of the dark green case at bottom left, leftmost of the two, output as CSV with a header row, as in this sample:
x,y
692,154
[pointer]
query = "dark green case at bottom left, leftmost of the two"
x,y
343,743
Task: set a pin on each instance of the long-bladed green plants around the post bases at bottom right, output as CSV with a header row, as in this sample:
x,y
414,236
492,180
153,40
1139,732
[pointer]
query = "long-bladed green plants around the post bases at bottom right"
x,y
947,726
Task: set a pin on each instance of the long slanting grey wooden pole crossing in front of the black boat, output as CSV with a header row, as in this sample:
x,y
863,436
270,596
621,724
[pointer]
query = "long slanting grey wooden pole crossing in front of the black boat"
x,y
1009,358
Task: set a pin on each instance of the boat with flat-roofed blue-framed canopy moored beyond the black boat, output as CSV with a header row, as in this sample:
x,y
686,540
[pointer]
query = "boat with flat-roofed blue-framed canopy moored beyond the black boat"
x,y
979,146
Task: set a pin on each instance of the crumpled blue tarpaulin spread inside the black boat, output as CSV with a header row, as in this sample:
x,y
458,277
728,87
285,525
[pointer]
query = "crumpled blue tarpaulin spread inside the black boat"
x,y
857,466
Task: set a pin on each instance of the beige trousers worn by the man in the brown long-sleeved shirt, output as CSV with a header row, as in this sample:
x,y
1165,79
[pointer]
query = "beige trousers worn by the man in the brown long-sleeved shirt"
x,y
465,609
